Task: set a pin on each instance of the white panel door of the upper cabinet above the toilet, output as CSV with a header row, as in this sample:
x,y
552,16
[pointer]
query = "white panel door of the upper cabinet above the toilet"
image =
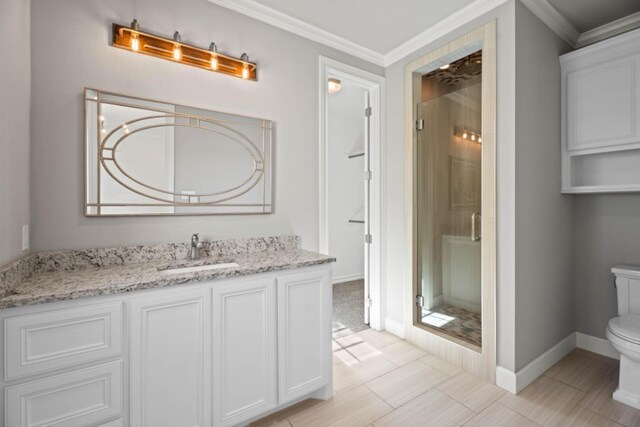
x,y
602,104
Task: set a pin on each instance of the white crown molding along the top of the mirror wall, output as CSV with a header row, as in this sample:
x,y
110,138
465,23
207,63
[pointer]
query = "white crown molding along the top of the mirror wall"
x,y
285,22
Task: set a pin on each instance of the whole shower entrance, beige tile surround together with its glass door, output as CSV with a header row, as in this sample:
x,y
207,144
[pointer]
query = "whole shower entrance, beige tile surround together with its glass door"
x,y
450,152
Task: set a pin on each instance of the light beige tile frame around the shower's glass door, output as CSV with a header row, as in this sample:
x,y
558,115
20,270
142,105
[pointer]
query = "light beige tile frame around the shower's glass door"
x,y
481,362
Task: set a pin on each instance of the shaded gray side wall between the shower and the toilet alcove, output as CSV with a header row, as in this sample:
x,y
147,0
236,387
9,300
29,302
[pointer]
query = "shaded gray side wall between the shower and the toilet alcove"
x,y
544,285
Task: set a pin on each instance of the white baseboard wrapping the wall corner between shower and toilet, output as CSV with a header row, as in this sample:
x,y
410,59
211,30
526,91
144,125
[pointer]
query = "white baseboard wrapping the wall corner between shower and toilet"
x,y
516,382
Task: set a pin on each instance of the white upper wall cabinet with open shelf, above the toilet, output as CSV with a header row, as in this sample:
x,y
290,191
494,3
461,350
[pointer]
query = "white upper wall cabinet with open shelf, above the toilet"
x,y
601,117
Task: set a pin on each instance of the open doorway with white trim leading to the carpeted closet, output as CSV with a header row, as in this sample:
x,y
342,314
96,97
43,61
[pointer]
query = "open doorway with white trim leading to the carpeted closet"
x,y
351,118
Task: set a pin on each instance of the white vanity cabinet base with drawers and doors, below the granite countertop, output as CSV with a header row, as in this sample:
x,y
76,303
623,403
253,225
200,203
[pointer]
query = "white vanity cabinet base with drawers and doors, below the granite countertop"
x,y
217,353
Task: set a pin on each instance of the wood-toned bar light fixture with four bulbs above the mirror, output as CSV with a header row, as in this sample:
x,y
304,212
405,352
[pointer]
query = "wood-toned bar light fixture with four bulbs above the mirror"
x,y
133,39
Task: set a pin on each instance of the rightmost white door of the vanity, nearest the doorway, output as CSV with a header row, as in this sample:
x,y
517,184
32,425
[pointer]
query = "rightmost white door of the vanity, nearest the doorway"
x,y
304,333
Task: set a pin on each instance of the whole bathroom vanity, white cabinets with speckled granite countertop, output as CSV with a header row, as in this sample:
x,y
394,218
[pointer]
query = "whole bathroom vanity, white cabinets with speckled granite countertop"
x,y
137,336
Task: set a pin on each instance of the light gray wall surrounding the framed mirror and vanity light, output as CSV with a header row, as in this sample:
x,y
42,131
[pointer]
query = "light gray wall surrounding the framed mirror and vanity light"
x,y
287,93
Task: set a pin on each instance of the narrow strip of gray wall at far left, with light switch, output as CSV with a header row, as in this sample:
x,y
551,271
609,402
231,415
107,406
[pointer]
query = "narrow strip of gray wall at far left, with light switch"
x,y
15,95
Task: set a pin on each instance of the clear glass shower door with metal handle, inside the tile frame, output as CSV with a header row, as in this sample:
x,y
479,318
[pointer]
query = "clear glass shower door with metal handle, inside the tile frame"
x,y
449,205
